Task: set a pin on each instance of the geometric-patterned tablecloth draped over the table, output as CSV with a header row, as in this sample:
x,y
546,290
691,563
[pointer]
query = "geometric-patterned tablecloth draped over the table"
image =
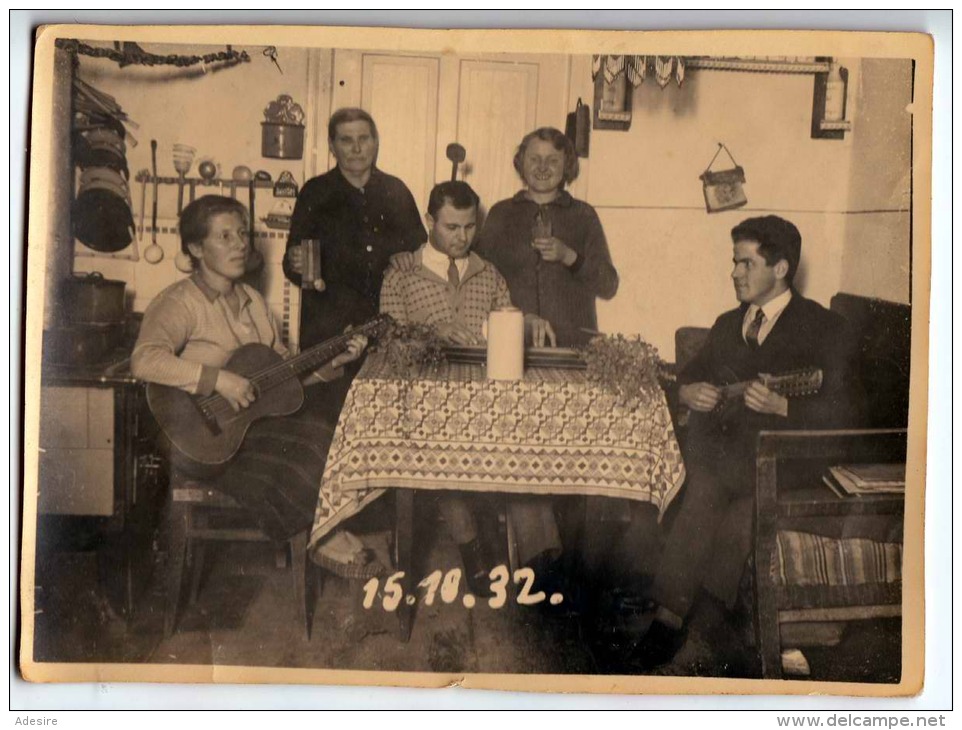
x,y
551,433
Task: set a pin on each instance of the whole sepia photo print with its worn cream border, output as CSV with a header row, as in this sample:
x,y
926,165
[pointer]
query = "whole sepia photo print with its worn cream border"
x,y
543,360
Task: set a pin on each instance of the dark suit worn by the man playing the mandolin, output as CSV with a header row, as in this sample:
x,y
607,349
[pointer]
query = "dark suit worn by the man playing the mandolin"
x,y
717,535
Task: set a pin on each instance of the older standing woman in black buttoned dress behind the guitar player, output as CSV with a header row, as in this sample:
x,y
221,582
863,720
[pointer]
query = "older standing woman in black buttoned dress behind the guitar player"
x,y
361,216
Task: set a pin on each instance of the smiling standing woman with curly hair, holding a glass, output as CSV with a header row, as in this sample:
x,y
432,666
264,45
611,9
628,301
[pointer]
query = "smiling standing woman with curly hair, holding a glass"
x,y
549,246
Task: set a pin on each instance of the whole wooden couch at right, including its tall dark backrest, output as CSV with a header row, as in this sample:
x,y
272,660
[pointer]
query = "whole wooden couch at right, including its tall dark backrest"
x,y
796,511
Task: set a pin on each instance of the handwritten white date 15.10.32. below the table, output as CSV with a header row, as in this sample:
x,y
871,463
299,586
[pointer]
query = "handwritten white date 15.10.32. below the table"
x,y
448,587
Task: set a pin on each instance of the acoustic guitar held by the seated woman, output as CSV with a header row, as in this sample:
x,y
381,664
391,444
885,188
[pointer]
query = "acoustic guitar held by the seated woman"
x,y
207,430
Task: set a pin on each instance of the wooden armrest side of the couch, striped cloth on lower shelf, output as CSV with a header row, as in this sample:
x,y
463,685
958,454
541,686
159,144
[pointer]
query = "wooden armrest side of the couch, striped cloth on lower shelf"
x,y
810,517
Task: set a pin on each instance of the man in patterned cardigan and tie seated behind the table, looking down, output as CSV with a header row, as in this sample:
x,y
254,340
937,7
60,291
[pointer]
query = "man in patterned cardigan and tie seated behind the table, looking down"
x,y
453,289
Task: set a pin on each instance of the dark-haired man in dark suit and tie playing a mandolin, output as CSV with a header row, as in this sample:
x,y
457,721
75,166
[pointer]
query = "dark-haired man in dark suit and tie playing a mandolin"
x,y
774,330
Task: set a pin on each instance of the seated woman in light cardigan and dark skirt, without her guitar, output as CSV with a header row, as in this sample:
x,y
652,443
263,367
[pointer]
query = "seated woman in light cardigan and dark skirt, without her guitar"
x,y
189,333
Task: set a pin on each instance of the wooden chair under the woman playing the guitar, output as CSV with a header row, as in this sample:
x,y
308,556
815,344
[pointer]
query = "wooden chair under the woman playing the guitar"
x,y
194,509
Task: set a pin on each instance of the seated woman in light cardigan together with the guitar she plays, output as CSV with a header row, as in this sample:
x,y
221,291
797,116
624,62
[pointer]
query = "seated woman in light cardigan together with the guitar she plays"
x,y
192,334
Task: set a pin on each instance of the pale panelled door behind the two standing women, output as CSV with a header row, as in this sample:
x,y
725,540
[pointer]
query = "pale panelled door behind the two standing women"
x,y
423,102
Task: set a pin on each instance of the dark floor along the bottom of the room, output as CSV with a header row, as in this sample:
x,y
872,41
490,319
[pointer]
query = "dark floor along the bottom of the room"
x,y
245,616
